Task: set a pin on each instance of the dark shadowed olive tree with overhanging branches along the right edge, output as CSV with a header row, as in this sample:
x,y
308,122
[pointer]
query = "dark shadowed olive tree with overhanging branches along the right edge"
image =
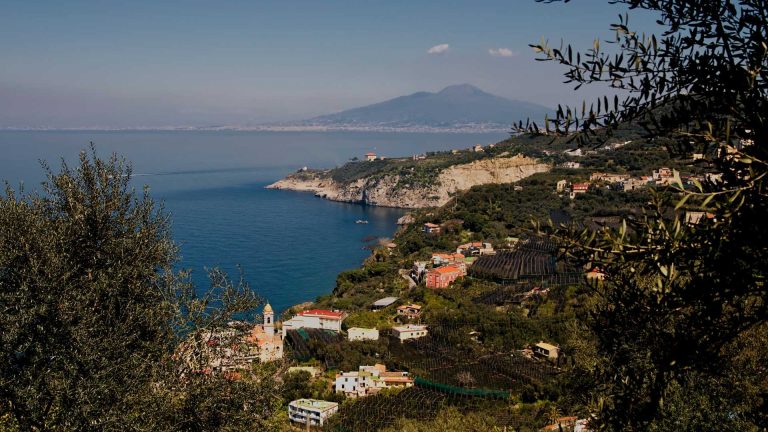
x,y
678,295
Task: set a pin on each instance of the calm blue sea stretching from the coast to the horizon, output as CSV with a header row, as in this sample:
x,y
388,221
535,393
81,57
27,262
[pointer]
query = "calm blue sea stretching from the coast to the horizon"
x,y
289,246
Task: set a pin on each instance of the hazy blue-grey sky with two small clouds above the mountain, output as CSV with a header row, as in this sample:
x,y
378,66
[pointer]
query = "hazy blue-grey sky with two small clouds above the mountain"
x,y
157,63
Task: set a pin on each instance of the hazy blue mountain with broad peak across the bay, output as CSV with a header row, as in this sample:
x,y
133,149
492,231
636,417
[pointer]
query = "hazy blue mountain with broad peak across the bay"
x,y
455,107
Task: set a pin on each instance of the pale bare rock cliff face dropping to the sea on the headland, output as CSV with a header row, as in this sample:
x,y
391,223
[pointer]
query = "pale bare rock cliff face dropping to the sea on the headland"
x,y
388,190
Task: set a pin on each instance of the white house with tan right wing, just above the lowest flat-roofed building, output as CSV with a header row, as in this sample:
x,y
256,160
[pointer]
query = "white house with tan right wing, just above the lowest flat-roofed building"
x,y
369,380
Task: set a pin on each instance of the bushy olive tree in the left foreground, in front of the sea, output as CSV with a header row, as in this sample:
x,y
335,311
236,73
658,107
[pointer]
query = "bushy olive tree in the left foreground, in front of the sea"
x,y
92,310
